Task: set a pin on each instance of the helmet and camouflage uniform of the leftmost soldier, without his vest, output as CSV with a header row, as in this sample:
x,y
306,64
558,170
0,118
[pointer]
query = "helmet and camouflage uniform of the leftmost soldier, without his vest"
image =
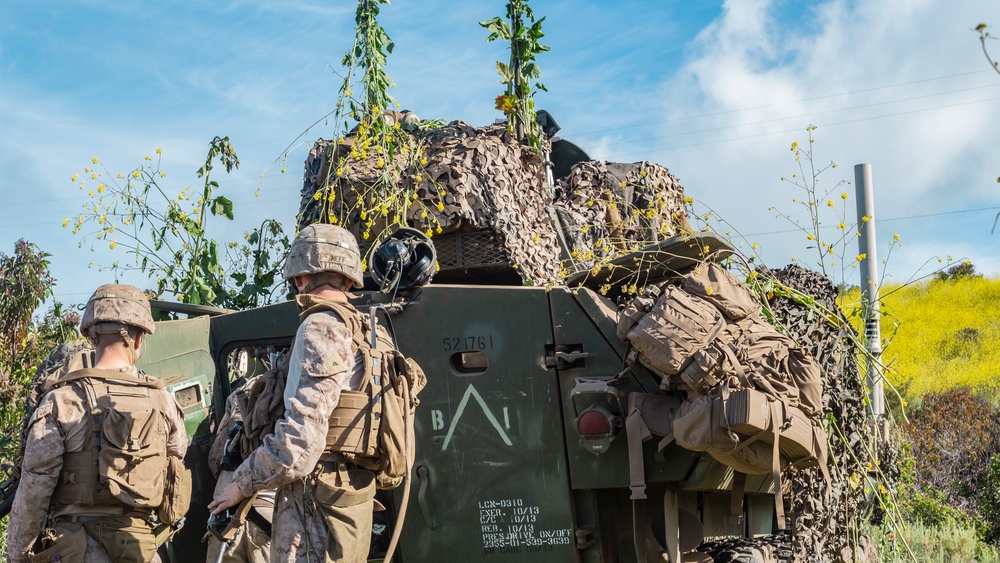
x,y
60,425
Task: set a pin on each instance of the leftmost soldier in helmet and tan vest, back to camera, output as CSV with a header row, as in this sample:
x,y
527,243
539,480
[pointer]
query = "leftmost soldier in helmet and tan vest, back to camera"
x,y
103,450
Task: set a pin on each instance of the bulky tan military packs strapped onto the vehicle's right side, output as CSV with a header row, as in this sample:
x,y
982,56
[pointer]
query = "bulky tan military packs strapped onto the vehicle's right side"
x,y
751,392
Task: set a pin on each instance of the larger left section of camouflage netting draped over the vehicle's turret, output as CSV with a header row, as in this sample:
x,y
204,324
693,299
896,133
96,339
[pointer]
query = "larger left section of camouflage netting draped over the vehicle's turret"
x,y
473,179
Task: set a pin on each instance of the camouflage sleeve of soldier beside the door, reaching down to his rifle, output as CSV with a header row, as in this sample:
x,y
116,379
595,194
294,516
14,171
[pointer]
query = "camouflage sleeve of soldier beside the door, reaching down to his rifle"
x,y
320,365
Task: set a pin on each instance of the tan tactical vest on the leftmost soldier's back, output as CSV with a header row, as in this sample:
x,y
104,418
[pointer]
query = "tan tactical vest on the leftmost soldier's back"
x,y
124,455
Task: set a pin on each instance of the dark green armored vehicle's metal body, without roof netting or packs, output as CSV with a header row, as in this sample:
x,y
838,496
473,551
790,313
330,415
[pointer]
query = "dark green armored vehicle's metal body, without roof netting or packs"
x,y
520,433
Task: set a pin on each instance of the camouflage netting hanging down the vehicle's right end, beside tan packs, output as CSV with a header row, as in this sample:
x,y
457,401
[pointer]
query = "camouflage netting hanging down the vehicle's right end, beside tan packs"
x,y
826,528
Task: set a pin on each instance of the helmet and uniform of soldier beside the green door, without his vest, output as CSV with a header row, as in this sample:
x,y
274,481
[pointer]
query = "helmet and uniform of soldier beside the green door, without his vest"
x,y
324,504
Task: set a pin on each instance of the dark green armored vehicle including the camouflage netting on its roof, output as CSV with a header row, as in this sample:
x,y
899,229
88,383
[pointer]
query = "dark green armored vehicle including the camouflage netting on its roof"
x,y
525,448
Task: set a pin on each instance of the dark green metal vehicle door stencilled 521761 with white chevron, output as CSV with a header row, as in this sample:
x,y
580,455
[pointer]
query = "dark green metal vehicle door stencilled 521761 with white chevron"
x,y
490,481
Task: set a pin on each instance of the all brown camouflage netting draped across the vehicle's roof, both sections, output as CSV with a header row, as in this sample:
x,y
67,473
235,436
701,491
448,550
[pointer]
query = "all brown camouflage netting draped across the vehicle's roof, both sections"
x,y
476,180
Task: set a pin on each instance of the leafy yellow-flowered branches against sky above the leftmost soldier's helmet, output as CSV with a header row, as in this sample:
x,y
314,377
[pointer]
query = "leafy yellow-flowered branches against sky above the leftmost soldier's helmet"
x,y
164,231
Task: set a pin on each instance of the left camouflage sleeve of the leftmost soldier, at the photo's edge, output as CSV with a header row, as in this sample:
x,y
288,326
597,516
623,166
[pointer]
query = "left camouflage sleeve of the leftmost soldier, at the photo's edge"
x,y
40,470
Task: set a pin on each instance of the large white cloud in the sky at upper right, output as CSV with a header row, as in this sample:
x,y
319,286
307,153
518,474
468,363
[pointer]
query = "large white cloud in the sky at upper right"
x,y
928,159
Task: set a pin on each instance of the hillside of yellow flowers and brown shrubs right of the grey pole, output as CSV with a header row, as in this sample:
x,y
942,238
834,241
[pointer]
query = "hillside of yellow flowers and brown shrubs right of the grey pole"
x,y
941,346
